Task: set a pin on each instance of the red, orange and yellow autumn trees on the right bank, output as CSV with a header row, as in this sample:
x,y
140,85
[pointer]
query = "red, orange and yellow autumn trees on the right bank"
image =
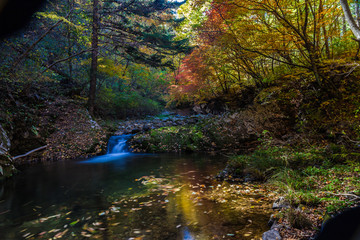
x,y
247,43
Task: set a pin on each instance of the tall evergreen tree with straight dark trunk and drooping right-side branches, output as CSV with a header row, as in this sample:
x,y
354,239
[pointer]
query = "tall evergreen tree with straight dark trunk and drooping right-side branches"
x,y
137,31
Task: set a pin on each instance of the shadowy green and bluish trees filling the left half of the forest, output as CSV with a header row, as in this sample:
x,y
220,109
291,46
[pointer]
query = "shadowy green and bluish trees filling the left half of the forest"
x,y
117,50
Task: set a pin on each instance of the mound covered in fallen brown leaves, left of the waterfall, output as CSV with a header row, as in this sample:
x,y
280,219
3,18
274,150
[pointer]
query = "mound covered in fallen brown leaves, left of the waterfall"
x,y
74,132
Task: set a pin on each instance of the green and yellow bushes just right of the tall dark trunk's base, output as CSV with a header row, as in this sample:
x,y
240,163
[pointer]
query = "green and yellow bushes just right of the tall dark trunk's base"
x,y
130,91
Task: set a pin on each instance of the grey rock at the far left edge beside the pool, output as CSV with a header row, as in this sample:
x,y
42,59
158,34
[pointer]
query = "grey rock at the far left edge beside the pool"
x,y
6,163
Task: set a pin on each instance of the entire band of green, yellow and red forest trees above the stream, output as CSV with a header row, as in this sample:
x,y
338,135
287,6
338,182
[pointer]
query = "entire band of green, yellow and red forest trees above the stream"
x,y
137,56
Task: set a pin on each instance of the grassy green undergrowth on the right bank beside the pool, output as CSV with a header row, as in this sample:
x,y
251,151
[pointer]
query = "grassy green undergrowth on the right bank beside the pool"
x,y
315,176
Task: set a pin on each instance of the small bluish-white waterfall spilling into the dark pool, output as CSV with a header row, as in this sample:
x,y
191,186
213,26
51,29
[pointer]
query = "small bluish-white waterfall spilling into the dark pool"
x,y
117,148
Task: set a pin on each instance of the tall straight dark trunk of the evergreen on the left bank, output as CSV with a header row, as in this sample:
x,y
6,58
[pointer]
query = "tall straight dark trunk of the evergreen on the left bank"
x,y
94,56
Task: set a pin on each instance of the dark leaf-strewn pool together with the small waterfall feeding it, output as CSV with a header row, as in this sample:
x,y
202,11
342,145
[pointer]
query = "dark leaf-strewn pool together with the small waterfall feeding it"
x,y
123,195
